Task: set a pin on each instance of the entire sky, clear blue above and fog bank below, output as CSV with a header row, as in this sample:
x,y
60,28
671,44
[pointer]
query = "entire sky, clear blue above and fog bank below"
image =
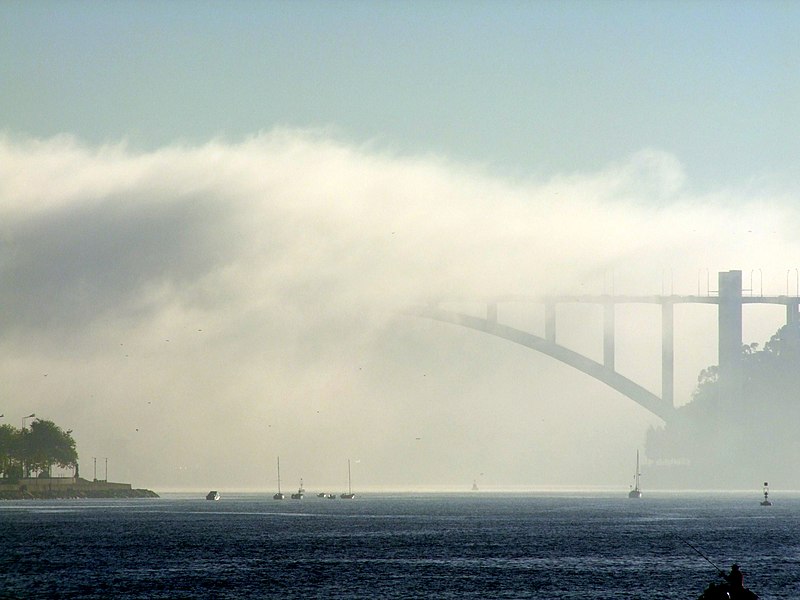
x,y
213,215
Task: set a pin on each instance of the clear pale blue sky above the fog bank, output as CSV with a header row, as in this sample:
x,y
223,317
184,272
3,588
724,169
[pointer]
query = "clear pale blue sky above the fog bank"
x,y
526,88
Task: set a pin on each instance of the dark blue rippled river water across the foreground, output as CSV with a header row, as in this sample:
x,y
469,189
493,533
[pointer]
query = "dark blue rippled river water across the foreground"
x,y
397,546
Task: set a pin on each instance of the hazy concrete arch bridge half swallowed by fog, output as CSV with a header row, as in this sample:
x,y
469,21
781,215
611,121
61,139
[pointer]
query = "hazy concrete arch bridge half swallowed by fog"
x,y
729,300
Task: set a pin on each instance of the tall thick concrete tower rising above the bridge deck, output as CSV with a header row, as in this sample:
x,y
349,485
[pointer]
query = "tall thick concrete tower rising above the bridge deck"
x,y
730,333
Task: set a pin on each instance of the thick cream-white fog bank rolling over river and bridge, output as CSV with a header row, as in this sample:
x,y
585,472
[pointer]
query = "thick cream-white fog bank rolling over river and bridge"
x,y
191,313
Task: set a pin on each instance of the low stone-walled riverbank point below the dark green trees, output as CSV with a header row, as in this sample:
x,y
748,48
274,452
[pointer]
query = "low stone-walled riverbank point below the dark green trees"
x,y
46,488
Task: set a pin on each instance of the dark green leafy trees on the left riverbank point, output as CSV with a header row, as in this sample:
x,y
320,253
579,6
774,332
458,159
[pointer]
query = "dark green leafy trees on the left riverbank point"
x,y
35,450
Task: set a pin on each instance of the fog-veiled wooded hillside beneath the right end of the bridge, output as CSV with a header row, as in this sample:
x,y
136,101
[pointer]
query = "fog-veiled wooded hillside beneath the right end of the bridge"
x,y
740,436
